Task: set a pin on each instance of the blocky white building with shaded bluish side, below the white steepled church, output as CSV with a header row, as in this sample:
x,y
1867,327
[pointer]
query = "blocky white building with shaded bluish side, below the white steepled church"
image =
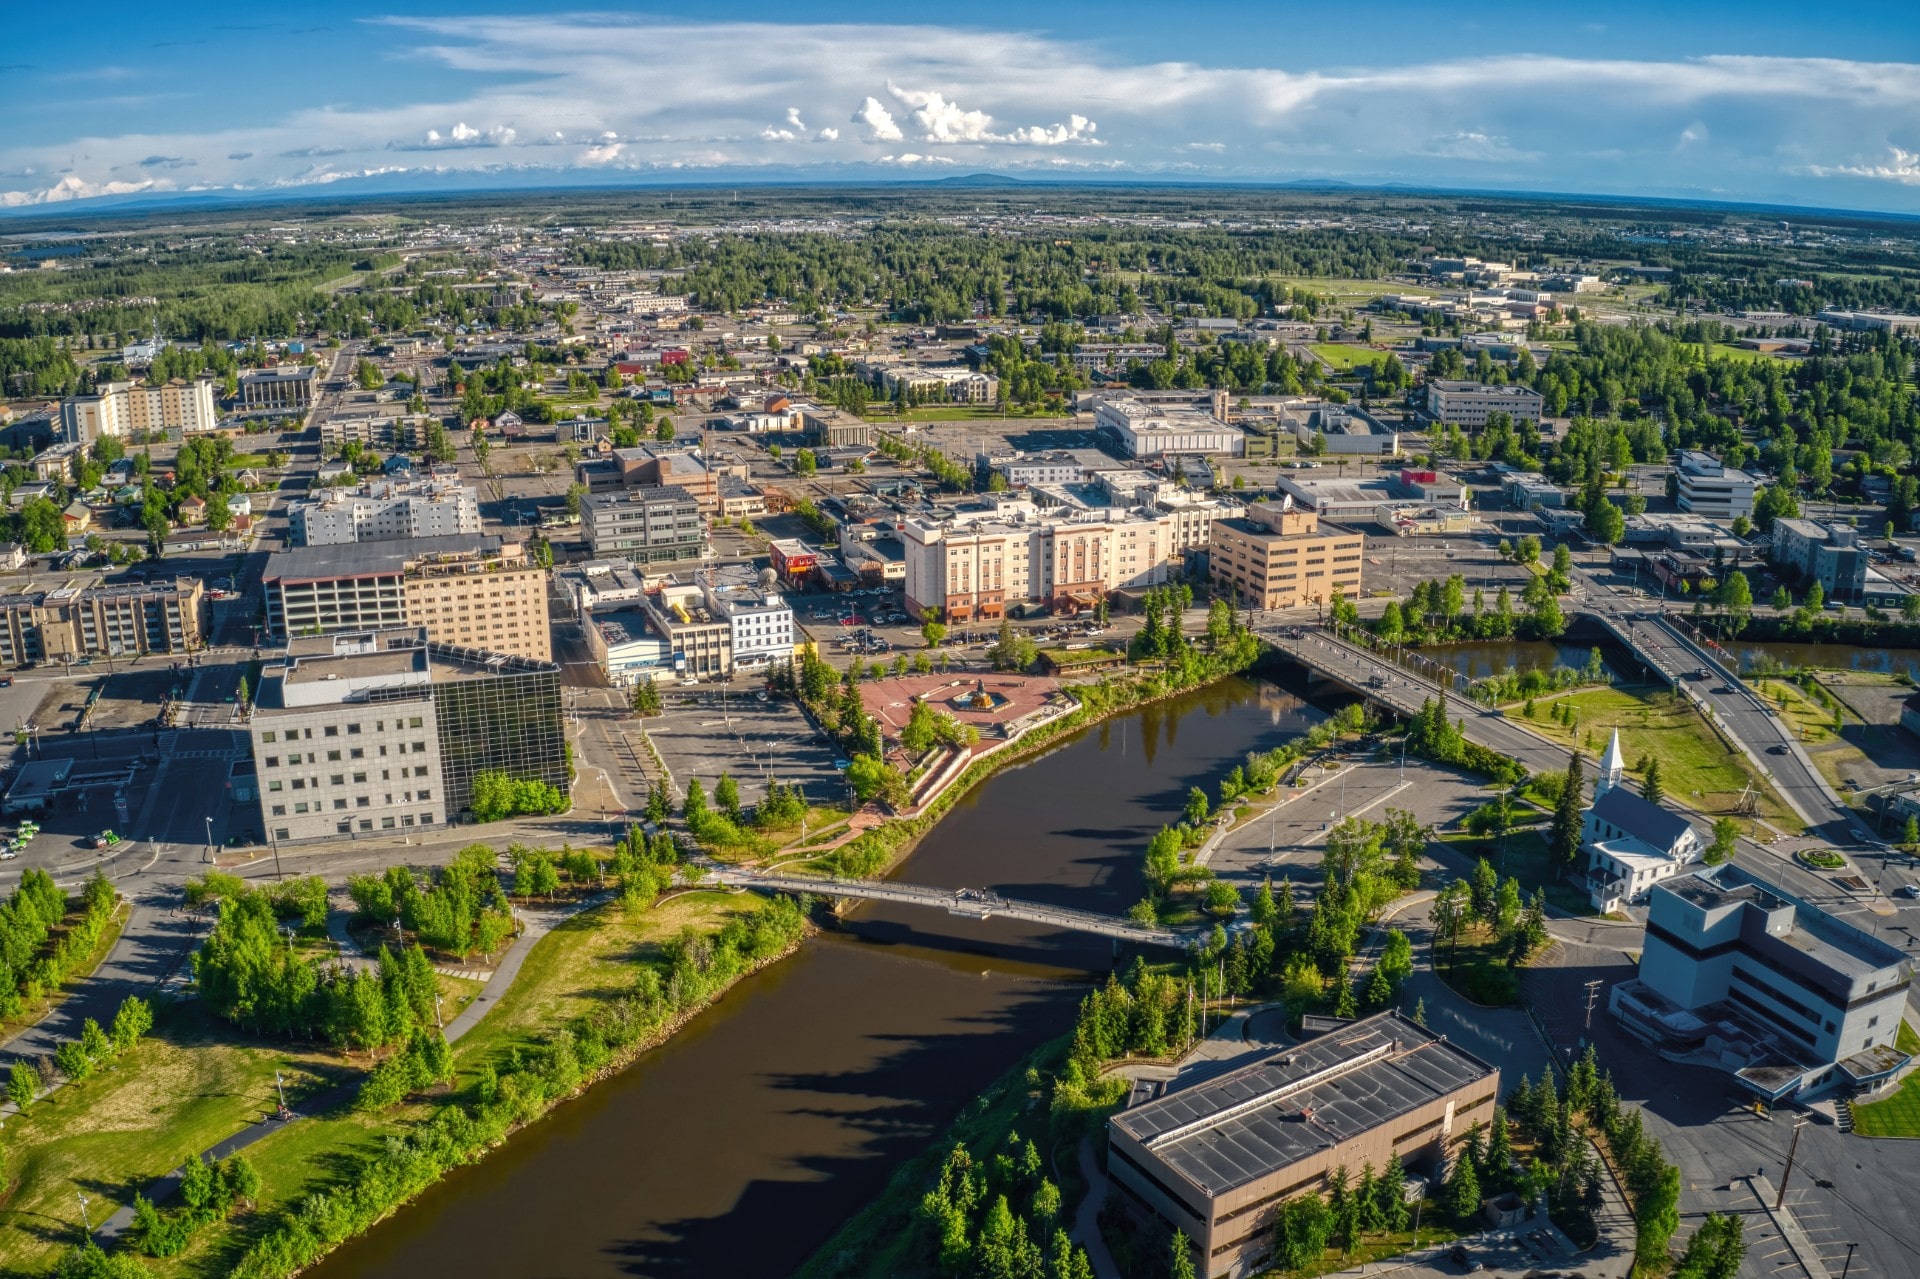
x,y
1748,978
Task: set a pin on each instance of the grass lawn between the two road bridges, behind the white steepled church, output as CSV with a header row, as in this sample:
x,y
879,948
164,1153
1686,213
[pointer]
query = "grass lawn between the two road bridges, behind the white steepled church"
x,y
1696,767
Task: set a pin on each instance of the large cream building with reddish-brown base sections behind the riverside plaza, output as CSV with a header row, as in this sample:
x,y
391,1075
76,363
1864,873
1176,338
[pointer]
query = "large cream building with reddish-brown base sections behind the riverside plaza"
x,y
980,564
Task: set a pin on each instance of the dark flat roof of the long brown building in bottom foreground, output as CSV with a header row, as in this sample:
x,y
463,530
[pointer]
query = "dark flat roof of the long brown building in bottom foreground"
x,y
1293,1103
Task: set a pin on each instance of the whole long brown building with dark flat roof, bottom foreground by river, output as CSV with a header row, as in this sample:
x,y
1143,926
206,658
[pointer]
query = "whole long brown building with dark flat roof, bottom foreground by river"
x,y
1218,1155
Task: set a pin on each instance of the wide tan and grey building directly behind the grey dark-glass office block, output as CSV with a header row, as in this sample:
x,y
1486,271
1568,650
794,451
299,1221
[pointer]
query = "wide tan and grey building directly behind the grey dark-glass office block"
x,y
466,591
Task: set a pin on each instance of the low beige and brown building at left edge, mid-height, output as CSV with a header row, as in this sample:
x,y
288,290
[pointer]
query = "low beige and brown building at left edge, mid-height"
x,y
124,619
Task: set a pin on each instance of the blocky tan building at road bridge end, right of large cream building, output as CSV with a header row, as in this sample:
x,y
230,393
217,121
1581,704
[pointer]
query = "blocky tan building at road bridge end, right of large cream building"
x,y
1280,558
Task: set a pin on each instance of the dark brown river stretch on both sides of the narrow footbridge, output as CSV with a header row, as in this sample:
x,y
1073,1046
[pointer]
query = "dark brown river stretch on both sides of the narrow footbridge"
x,y
742,1144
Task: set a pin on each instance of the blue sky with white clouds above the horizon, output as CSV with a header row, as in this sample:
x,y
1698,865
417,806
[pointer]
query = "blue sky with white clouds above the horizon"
x,y
1762,103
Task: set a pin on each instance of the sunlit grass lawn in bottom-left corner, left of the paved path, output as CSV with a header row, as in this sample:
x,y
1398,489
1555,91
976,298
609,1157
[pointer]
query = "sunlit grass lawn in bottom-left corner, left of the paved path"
x,y
185,1088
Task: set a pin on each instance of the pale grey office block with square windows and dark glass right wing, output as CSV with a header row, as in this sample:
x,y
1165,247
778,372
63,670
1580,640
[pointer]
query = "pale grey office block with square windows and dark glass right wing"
x,y
383,731
